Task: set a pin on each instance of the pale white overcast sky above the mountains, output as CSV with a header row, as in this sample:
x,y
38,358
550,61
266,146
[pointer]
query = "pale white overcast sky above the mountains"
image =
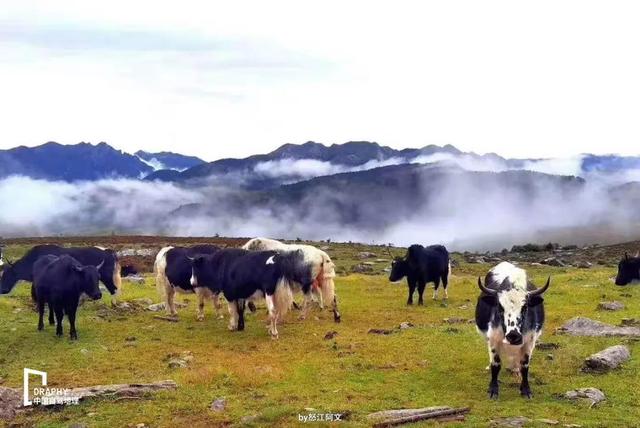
x,y
219,79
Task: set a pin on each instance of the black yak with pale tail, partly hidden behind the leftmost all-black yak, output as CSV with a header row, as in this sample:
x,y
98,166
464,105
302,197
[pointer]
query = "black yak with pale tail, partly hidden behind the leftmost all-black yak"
x,y
22,269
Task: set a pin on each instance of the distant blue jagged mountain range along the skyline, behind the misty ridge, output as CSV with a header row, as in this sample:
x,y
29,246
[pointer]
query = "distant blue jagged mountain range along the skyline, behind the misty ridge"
x,y
290,163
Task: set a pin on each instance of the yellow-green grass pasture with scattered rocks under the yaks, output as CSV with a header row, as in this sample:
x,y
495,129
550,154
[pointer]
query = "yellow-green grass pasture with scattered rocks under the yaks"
x,y
355,373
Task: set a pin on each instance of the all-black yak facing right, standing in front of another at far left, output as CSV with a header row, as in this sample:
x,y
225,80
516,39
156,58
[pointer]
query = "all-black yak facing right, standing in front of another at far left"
x,y
58,282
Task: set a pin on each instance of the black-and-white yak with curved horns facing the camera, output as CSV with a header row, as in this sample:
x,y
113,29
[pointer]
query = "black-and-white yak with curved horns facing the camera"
x,y
510,315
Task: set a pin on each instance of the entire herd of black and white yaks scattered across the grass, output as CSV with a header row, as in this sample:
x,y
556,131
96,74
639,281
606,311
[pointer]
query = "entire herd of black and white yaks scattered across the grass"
x,y
509,310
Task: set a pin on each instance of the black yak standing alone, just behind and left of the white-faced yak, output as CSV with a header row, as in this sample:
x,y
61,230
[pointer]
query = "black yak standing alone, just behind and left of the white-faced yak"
x,y
422,265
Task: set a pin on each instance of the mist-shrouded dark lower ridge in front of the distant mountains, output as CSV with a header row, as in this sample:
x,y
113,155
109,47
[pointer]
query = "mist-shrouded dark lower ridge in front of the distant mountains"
x,y
399,204
